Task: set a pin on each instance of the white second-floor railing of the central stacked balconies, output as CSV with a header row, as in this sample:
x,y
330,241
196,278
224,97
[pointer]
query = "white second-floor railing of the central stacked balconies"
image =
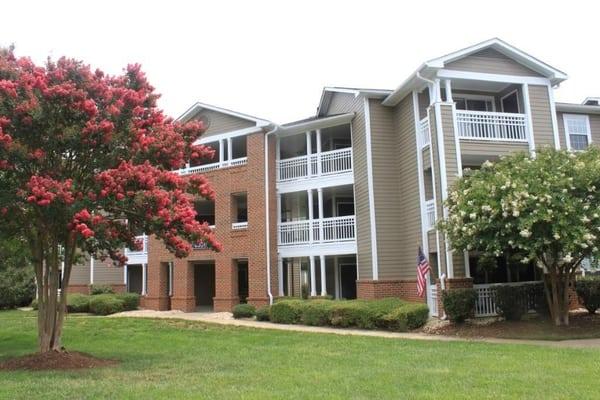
x,y
326,230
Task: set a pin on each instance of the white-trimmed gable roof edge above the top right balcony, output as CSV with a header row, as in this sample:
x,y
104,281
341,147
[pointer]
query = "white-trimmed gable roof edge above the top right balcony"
x,y
429,68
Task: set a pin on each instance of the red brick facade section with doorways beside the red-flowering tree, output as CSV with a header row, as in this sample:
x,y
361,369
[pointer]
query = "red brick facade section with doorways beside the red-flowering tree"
x,y
247,244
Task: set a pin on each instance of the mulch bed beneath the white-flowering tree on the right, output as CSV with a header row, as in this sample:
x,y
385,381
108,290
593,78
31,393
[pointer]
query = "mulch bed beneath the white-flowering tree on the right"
x,y
582,325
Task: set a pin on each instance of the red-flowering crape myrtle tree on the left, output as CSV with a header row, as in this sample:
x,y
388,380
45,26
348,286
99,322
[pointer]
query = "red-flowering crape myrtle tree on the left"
x,y
85,165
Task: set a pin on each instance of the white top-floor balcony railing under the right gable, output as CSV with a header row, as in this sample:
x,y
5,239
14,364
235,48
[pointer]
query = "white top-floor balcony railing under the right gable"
x,y
485,125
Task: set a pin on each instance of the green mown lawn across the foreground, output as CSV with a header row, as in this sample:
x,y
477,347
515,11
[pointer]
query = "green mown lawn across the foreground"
x,y
178,359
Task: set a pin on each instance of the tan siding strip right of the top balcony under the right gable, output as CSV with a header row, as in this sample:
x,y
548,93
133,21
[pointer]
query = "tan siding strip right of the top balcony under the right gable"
x,y
541,116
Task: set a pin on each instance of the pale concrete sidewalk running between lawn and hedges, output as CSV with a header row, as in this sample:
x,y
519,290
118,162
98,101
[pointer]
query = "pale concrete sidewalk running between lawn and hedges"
x,y
226,318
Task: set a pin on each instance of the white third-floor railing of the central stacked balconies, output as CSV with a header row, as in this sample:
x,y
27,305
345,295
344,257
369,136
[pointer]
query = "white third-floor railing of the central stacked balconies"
x,y
321,164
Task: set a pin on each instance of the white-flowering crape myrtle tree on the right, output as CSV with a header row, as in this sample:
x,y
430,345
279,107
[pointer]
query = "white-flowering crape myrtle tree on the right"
x,y
544,210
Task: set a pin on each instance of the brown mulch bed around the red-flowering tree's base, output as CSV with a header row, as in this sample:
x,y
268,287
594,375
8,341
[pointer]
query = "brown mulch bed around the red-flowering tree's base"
x,y
55,360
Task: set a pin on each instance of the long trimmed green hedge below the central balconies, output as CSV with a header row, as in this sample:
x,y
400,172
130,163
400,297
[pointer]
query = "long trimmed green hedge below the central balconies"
x,y
391,313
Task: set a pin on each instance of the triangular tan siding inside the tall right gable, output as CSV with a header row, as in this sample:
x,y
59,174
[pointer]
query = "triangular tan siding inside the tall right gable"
x,y
491,62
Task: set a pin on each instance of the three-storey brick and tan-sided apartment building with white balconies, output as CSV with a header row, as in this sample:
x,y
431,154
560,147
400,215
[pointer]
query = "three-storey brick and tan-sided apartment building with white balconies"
x,y
340,202
